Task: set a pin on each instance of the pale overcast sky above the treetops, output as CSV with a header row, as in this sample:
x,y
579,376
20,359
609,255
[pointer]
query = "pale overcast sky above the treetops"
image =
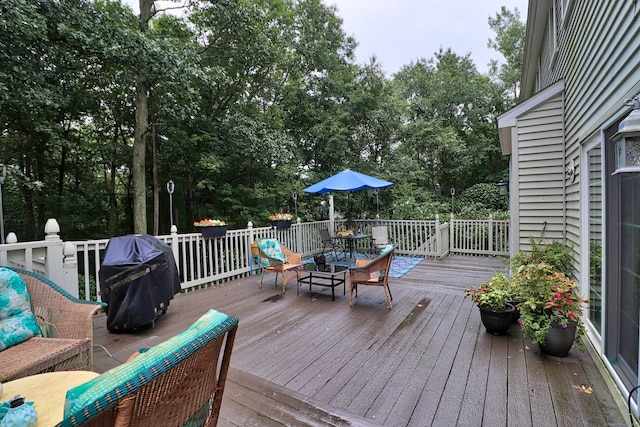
x,y
399,32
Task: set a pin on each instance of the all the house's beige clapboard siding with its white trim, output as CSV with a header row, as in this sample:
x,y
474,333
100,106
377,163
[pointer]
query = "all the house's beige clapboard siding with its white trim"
x,y
594,52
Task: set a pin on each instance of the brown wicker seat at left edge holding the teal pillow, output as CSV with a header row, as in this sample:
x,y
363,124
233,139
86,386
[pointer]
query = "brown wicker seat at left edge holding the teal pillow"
x,y
67,325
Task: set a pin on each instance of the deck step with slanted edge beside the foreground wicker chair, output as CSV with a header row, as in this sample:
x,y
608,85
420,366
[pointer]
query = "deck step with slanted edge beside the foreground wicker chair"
x,y
252,401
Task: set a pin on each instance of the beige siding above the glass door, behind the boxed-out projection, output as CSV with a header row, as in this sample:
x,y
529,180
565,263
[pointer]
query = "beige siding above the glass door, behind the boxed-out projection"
x,y
600,65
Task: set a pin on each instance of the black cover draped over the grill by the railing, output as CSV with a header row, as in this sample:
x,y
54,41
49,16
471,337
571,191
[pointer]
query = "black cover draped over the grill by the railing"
x,y
138,278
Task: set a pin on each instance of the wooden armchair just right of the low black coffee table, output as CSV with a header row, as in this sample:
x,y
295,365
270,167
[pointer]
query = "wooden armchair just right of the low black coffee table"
x,y
372,272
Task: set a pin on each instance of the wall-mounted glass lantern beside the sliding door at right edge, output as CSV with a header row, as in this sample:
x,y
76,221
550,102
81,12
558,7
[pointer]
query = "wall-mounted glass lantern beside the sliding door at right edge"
x,y
627,140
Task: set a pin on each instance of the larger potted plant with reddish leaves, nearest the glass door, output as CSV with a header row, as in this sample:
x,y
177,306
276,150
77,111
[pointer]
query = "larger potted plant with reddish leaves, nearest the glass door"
x,y
550,309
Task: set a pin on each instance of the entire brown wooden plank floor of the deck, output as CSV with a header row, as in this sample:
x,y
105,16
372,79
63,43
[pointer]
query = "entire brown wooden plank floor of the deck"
x,y
308,360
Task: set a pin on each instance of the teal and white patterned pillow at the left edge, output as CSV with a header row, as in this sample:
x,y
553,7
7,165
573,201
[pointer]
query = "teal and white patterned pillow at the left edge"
x,y
17,322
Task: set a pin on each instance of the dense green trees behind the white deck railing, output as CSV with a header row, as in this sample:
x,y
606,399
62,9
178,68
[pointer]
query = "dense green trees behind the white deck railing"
x,y
249,101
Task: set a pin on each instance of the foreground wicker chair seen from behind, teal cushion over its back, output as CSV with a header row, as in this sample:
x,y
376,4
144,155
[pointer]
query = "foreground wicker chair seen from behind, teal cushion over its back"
x,y
176,383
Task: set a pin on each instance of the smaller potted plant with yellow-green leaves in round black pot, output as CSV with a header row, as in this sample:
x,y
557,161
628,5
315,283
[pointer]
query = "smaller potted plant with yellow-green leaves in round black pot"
x,y
493,299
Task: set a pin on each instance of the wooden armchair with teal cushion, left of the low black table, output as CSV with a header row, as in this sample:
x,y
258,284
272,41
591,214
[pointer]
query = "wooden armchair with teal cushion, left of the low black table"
x,y
278,259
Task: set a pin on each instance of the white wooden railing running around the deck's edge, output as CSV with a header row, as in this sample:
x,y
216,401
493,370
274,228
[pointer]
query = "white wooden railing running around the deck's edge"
x,y
75,265
